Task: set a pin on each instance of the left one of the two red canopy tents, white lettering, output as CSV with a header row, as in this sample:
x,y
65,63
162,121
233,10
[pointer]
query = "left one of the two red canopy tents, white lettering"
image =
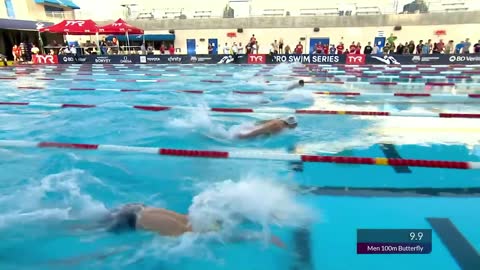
x,y
73,27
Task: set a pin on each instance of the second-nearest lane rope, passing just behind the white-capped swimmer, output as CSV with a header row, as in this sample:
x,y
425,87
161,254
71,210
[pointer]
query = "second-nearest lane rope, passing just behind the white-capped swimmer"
x,y
156,108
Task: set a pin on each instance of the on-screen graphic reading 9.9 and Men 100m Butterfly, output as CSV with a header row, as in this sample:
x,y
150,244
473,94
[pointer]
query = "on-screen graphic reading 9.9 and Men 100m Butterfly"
x,y
388,241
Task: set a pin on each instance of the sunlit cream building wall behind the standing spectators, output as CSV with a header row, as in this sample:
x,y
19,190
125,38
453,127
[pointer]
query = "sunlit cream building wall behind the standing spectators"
x,y
347,35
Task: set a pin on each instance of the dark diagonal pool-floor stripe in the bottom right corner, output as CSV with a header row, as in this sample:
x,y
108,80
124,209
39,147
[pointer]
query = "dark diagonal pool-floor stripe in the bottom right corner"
x,y
459,247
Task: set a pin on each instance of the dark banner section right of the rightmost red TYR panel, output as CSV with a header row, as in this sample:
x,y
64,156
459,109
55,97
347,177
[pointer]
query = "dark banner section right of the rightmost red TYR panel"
x,y
427,59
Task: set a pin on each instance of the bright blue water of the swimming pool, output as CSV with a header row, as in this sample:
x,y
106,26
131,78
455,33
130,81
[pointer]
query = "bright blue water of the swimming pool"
x,y
41,189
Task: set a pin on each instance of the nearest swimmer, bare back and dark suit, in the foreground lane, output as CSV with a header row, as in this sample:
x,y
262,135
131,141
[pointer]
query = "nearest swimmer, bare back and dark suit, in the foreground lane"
x,y
139,217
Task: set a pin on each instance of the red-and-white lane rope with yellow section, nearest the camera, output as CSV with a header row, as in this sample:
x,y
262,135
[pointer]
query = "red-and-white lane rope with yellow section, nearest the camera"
x,y
242,154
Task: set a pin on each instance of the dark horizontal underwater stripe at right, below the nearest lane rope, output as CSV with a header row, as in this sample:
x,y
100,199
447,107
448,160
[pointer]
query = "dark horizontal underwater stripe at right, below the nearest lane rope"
x,y
371,192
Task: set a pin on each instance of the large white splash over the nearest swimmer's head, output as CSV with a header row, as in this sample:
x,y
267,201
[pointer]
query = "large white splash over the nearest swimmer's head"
x,y
259,201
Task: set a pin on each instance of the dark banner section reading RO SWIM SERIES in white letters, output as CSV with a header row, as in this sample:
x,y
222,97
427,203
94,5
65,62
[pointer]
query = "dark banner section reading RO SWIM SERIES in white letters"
x,y
306,58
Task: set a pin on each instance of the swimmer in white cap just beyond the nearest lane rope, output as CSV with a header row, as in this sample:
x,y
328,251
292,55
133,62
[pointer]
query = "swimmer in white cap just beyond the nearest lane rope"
x,y
270,127
